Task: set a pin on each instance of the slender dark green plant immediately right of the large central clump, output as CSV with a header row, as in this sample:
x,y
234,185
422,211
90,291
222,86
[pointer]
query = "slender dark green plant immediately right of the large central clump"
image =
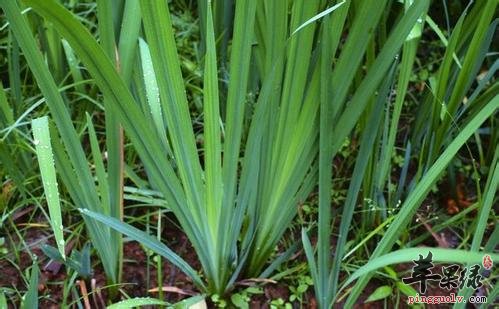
x,y
339,117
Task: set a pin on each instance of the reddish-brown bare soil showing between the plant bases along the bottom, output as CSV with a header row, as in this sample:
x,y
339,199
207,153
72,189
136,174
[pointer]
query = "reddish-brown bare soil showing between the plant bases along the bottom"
x,y
139,281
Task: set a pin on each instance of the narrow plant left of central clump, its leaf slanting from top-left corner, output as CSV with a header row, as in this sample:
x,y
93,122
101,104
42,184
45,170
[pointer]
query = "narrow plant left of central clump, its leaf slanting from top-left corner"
x,y
74,170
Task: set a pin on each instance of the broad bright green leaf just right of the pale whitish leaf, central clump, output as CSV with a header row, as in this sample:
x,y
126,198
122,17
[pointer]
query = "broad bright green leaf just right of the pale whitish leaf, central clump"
x,y
160,37
